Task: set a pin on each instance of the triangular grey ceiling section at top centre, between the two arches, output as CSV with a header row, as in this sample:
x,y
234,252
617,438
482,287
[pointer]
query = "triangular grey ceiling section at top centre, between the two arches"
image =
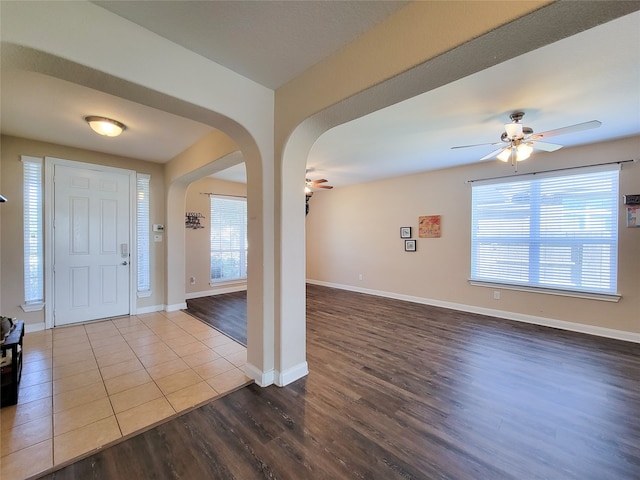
x,y
270,42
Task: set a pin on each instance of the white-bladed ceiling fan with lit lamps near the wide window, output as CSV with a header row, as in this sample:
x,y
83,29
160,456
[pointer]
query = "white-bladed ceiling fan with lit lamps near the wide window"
x,y
517,142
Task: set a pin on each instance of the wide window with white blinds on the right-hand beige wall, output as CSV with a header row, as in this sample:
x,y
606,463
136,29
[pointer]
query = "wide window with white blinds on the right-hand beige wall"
x,y
555,230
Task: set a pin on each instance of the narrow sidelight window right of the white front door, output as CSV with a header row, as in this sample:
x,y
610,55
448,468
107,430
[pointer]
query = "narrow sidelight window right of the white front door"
x,y
143,235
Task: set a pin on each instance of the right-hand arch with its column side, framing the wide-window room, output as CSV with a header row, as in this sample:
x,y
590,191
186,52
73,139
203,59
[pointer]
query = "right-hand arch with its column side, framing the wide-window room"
x,y
310,106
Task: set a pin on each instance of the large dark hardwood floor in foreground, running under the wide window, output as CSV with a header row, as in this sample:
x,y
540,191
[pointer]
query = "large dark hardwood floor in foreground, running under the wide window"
x,y
398,390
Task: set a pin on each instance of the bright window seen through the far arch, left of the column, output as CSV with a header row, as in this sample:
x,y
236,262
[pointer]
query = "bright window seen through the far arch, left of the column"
x,y
228,239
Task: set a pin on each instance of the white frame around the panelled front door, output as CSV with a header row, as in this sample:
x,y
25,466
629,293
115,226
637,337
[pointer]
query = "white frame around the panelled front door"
x,y
49,164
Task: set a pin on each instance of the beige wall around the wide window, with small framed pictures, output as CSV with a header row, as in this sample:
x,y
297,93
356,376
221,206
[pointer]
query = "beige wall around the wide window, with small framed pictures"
x,y
355,230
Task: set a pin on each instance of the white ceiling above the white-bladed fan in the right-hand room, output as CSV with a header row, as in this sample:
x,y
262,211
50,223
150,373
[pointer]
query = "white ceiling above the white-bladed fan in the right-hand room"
x,y
594,75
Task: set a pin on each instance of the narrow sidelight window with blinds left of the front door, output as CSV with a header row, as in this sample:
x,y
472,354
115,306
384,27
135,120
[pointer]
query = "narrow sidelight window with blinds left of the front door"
x,y
33,238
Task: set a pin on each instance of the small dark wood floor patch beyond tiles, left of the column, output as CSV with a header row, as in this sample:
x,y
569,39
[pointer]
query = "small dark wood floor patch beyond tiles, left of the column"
x,y
227,313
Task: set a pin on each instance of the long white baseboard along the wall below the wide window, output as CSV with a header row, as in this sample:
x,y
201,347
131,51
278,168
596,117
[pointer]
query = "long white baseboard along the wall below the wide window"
x,y
545,322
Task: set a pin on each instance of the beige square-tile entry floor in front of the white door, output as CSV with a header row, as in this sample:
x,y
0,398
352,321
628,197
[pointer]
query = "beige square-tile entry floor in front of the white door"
x,y
84,386
